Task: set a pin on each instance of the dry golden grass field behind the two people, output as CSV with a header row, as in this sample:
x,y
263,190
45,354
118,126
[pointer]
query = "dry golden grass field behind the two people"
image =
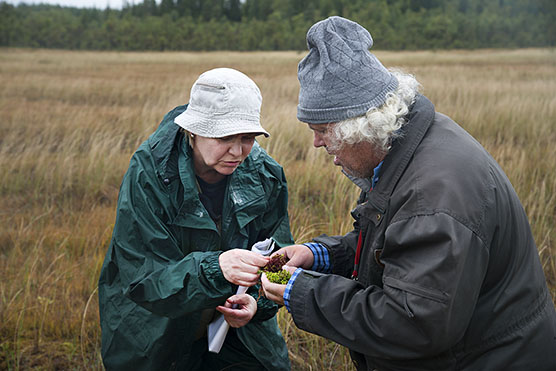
x,y
69,122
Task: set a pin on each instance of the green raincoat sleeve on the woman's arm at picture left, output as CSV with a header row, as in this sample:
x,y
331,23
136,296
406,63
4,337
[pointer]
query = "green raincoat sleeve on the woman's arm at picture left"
x,y
154,272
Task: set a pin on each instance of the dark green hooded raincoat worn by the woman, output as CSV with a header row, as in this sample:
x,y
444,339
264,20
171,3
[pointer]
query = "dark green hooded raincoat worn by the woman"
x,y
161,269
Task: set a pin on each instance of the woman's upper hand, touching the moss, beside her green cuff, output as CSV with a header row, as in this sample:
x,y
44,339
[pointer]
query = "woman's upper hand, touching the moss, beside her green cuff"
x,y
241,267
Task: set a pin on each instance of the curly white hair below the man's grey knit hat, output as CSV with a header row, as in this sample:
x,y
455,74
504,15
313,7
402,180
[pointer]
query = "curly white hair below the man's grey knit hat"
x,y
380,125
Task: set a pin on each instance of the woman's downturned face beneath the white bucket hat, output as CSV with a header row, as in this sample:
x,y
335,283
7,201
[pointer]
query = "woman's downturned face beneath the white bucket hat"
x,y
214,158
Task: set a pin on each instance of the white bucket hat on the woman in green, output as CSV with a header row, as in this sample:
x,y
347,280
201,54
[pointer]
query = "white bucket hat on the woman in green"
x,y
223,102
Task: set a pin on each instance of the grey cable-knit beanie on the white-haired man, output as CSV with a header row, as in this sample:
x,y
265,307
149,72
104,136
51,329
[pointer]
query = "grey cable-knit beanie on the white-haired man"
x,y
340,78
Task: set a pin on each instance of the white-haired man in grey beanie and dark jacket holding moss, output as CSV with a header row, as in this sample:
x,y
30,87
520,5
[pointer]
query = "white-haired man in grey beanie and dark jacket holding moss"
x,y
441,271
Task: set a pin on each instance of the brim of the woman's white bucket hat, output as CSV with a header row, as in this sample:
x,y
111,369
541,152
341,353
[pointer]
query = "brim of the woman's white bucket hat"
x,y
218,127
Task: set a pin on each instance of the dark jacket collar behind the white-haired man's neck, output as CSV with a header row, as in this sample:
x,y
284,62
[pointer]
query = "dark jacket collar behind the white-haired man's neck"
x,y
420,119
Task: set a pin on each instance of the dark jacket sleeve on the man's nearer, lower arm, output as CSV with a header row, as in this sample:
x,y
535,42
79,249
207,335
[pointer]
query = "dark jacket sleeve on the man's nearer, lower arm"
x,y
434,267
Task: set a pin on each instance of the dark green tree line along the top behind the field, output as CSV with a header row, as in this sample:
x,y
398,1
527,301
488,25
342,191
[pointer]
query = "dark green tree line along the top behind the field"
x,y
279,24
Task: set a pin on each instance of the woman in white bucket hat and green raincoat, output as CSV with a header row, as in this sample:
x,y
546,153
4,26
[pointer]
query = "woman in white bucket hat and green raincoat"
x,y
197,195
